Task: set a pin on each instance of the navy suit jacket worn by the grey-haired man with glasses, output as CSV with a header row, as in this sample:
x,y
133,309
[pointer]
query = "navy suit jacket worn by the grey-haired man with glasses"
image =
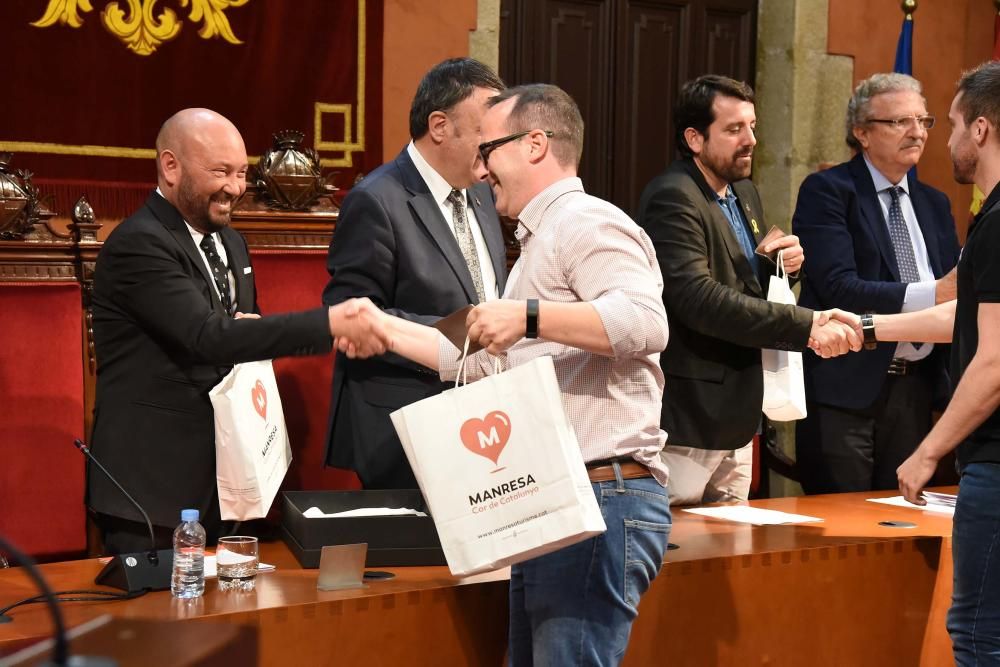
x,y
851,264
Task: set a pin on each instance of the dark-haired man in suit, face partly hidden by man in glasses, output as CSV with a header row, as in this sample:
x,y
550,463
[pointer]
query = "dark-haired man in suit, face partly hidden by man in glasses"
x,y
420,237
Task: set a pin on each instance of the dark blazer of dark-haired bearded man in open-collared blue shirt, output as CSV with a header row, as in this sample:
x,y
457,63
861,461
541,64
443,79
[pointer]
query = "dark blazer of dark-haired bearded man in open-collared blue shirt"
x,y
717,311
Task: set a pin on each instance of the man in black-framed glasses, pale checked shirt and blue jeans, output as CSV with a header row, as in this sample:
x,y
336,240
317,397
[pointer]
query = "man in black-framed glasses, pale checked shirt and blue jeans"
x,y
585,291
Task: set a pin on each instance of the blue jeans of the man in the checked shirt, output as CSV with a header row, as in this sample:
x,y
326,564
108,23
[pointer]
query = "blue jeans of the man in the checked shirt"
x,y
575,606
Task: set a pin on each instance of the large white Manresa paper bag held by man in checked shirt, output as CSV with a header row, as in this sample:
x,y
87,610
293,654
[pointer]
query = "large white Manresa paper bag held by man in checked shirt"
x,y
500,468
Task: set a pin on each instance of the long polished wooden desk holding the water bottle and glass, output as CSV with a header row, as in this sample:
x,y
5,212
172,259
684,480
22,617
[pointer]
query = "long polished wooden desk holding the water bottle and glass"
x,y
843,592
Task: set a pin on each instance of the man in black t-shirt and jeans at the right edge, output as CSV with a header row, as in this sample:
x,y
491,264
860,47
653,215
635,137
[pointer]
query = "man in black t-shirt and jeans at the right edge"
x,y
972,421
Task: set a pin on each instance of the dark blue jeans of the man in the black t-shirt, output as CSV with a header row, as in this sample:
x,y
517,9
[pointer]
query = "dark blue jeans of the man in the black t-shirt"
x,y
974,617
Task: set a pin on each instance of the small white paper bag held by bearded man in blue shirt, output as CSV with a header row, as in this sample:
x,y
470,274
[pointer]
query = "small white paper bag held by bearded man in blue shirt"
x,y
784,381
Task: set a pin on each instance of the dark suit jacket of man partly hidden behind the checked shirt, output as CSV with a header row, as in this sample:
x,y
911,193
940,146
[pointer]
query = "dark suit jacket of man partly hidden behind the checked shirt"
x,y
393,245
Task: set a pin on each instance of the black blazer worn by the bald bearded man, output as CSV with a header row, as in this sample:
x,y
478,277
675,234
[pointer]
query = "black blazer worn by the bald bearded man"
x,y
163,341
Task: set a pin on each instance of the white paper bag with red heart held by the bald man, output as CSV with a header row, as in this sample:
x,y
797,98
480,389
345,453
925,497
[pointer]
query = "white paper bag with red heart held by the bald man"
x,y
252,452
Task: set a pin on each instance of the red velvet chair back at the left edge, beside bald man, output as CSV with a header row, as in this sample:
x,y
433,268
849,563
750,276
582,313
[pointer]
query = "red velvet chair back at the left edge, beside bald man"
x,y
42,393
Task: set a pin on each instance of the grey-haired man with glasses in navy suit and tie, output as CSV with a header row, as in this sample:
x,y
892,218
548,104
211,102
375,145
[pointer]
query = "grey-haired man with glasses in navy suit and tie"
x,y
879,241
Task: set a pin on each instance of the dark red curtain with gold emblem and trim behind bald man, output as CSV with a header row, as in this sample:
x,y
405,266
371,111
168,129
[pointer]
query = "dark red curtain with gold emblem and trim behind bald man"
x,y
83,109
